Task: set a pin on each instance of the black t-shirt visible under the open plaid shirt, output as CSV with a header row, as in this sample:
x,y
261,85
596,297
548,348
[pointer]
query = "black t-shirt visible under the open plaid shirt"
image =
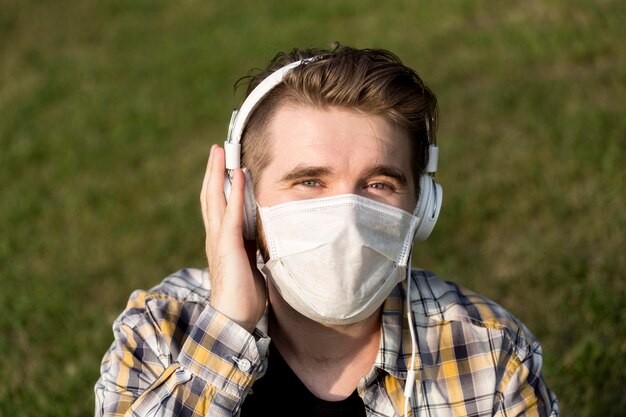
x,y
281,392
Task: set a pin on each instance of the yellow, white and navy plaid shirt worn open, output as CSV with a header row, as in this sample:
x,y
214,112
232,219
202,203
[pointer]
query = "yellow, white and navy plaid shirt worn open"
x,y
173,354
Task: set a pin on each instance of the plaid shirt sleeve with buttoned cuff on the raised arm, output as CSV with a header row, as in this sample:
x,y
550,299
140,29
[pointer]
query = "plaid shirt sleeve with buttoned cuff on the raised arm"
x,y
170,357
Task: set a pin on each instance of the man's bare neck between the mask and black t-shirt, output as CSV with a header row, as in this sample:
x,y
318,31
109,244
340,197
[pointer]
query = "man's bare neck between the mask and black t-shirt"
x,y
329,360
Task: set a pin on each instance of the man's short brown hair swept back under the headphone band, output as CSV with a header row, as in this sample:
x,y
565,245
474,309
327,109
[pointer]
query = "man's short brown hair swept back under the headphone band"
x,y
371,81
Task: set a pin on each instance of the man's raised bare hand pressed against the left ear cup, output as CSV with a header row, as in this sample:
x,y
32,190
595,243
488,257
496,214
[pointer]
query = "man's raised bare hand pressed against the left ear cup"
x,y
237,288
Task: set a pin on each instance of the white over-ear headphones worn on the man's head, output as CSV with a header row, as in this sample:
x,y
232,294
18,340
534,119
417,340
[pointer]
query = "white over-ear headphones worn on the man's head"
x,y
428,205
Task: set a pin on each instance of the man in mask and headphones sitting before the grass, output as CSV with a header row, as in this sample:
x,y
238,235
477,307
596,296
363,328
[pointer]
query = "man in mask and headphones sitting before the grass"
x,y
309,305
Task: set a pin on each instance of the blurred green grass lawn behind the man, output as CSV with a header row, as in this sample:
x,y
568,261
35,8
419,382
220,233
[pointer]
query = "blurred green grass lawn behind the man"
x,y
108,110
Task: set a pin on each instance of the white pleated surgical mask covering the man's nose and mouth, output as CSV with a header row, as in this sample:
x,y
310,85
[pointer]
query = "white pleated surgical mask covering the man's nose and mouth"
x,y
336,259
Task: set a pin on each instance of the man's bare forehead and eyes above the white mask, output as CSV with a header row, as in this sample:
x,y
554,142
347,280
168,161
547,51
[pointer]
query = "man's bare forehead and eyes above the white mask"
x,y
321,153
